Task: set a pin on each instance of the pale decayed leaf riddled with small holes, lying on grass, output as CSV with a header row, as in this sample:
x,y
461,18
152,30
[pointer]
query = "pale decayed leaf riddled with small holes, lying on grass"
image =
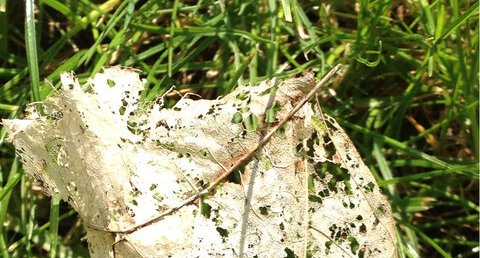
x,y
305,193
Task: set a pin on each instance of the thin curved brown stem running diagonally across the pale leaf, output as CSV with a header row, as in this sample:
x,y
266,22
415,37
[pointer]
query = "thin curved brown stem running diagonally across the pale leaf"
x,y
241,161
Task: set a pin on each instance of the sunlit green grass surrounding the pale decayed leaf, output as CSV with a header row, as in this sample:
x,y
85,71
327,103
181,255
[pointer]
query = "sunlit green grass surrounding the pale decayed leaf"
x,y
408,95
